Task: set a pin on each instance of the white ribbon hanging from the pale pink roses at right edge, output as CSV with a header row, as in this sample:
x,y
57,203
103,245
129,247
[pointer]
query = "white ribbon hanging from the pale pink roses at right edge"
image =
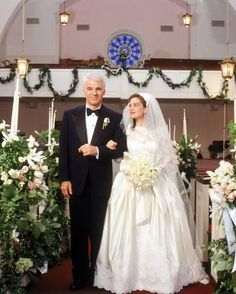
x,y
229,217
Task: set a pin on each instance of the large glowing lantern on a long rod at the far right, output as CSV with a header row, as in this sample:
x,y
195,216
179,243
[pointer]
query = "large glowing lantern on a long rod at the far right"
x,y
227,65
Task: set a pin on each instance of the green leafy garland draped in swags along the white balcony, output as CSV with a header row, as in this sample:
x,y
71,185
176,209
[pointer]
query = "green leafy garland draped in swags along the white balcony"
x,y
45,76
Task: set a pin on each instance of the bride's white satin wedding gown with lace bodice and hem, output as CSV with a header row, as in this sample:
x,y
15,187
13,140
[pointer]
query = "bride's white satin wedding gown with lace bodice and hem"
x,y
146,243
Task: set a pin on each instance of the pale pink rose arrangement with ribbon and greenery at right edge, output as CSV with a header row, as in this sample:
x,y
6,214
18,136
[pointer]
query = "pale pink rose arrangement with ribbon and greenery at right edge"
x,y
222,252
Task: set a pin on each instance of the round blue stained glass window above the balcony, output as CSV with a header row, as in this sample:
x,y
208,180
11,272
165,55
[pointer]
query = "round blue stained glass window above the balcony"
x,y
124,50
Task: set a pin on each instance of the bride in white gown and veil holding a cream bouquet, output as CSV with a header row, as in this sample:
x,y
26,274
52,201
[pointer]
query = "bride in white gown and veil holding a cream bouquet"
x,y
147,243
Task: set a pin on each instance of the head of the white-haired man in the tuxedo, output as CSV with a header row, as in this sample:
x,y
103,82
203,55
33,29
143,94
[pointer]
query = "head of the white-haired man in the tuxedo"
x,y
93,92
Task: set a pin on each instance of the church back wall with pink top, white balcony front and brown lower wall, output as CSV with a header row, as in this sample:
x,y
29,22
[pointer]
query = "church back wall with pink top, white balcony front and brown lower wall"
x,y
85,43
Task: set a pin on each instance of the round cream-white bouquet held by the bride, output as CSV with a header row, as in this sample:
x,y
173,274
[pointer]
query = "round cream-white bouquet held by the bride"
x,y
139,170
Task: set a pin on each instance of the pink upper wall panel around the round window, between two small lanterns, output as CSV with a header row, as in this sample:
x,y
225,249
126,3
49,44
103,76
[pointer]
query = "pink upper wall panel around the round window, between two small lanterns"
x,y
105,17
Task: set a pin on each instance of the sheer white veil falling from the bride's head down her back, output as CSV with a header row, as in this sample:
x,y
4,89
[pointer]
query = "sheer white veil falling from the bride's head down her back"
x,y
166,155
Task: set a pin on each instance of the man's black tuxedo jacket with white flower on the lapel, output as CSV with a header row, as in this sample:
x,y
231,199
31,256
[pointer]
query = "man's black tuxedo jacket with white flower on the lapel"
x,y
73,166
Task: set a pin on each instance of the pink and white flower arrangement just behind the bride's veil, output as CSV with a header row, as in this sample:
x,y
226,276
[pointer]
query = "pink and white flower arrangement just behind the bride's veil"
x,y
187,150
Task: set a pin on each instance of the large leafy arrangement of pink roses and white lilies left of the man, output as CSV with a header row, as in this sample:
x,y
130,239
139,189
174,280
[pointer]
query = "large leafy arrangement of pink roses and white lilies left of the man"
x,y
33,225
